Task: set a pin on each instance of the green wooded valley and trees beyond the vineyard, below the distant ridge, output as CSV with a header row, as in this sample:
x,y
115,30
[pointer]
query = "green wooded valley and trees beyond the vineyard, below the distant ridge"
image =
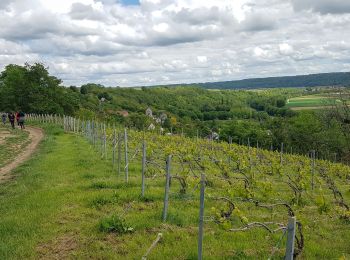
x,y
260,115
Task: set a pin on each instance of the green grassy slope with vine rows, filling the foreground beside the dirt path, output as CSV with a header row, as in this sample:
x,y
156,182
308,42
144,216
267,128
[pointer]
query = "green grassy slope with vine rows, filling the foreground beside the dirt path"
x,y
75,204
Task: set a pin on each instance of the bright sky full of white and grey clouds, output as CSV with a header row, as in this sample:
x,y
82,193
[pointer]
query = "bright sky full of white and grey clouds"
x,y
150,42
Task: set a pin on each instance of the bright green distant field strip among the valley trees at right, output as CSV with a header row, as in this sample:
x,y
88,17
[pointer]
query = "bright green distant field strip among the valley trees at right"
x,y
311,102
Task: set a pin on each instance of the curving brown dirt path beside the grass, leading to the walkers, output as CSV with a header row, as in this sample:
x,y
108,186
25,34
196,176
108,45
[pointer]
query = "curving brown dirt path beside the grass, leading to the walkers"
x,y
35,134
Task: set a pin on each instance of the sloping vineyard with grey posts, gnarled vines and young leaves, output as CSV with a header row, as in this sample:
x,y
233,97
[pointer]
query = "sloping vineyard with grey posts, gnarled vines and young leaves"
x,y
239,198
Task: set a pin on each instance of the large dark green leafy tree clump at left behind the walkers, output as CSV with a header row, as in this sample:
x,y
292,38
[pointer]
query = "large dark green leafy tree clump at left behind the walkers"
x,y
30,88
